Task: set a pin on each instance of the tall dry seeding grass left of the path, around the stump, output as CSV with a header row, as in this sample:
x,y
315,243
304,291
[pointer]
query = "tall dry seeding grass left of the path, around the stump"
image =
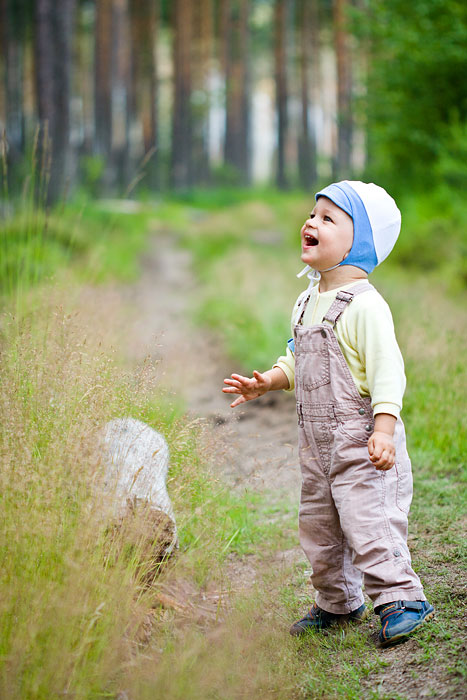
x,y
76,617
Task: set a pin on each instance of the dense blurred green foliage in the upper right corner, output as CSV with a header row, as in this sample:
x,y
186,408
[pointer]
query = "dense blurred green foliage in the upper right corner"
x,y
417,86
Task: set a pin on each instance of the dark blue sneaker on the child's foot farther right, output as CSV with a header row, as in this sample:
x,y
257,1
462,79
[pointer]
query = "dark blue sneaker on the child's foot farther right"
x,y
400,618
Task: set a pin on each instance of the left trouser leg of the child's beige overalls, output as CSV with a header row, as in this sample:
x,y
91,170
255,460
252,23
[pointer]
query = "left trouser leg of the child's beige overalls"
x,y
337,581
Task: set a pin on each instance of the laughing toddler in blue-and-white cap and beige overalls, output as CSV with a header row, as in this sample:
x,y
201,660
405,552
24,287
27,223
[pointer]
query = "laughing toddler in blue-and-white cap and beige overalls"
x,y
348,374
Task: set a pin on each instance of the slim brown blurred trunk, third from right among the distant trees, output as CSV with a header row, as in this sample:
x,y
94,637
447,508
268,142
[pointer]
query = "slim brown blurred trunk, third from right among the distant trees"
x,y
280,64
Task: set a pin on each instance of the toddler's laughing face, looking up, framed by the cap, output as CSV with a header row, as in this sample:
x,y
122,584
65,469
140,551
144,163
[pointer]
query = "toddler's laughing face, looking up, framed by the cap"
x,y
327,235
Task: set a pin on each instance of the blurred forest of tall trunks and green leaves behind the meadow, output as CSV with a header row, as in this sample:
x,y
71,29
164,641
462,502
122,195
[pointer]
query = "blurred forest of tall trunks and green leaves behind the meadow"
x,y
211,92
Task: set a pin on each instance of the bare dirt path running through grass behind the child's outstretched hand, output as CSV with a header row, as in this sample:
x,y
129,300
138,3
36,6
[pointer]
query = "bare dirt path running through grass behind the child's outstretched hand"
x,y
258,443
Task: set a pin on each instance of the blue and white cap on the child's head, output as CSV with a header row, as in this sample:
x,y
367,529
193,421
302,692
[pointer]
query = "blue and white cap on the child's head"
x,y
376,220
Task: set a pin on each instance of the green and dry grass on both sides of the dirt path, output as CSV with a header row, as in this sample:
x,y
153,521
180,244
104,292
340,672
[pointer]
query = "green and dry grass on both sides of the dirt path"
x,y
71,617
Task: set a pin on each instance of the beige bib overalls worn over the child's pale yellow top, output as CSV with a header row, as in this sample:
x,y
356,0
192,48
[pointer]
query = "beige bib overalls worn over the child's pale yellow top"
x,y
353,518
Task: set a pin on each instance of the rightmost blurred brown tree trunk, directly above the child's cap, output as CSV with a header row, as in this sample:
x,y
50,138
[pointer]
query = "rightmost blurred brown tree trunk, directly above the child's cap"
x,y
344,87
